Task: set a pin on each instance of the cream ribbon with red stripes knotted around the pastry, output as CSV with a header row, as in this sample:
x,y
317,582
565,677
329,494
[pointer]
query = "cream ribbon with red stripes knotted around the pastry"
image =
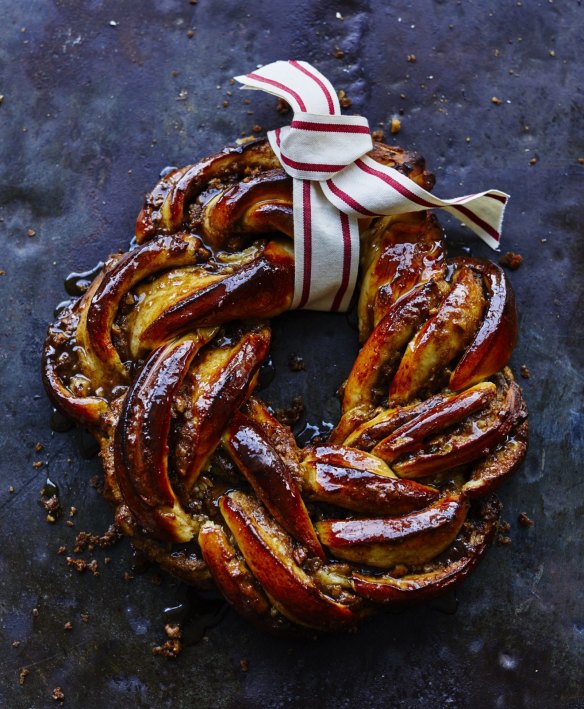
x,y
336,183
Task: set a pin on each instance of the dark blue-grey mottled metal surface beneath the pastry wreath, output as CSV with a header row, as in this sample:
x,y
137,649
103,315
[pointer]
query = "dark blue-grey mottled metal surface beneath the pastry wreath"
x,y
98,97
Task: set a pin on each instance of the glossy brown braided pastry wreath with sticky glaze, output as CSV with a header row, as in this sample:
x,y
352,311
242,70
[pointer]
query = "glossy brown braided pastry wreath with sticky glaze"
x,y
159,360
